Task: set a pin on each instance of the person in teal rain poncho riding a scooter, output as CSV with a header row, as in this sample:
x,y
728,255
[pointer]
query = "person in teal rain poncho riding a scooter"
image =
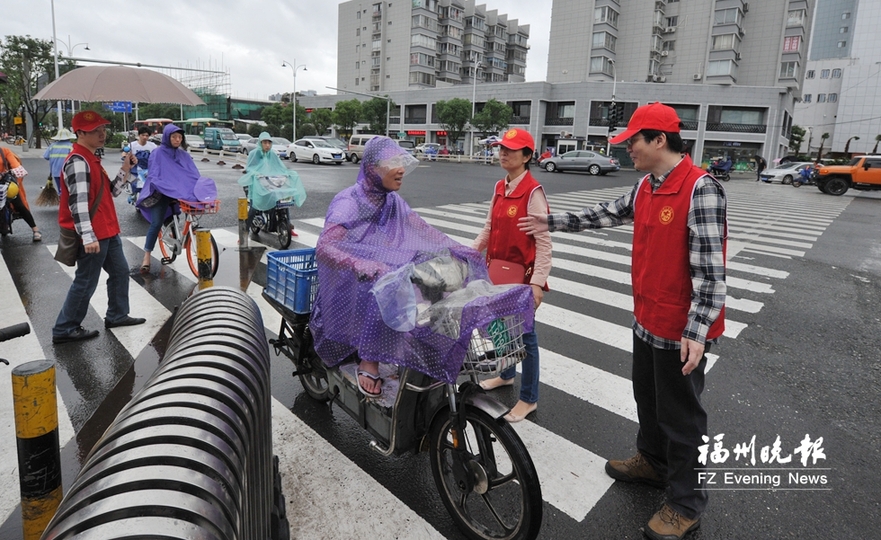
x,y
267,181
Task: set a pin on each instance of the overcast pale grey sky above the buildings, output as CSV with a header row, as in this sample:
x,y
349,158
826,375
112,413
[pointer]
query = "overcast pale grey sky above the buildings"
x,y
249,39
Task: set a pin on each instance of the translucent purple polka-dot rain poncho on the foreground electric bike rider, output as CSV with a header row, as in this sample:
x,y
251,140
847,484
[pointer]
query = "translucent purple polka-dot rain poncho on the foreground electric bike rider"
x,y
371,235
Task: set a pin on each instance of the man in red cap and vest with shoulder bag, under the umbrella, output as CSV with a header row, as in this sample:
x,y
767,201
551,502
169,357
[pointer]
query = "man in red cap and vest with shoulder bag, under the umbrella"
x,y
87,207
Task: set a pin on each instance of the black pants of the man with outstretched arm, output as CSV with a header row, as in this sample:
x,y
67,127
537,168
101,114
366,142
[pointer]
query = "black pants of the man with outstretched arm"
x,y
671,422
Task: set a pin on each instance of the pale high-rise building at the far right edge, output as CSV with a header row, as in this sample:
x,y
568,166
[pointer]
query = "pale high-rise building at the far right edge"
x,y
842,78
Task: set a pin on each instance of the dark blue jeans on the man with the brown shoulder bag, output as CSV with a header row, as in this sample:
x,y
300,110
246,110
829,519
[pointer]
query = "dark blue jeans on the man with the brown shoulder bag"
x,y
88,272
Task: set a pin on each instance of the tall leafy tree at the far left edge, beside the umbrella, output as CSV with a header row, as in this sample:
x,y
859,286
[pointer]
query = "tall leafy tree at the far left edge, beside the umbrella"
x,y
25,60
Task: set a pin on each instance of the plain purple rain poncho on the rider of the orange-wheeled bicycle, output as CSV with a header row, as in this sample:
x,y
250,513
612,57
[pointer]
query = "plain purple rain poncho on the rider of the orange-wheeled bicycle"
x,y
171,171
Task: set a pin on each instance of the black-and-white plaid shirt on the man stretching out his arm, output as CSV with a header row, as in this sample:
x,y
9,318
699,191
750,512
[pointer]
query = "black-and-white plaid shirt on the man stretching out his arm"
x,y
706,226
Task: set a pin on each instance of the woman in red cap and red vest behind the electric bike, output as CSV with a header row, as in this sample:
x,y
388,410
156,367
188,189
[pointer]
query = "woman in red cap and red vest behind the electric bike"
x,y
515,196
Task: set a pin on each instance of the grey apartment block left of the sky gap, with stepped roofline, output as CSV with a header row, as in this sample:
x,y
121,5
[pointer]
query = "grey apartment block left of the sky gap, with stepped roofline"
x,y
389,46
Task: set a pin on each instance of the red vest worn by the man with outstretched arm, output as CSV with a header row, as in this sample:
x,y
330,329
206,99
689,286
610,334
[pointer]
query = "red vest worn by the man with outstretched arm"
x,y
660,270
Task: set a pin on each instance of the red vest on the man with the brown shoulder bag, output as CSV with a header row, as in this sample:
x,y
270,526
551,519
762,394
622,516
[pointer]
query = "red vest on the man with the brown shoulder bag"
x,y
104,222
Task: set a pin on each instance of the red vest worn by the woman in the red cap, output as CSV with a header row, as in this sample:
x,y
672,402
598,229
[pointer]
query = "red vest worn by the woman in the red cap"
x,y
506,241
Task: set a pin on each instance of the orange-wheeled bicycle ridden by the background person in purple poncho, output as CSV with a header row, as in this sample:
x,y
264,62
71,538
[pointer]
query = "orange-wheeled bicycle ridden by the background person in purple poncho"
x,y
175,237
